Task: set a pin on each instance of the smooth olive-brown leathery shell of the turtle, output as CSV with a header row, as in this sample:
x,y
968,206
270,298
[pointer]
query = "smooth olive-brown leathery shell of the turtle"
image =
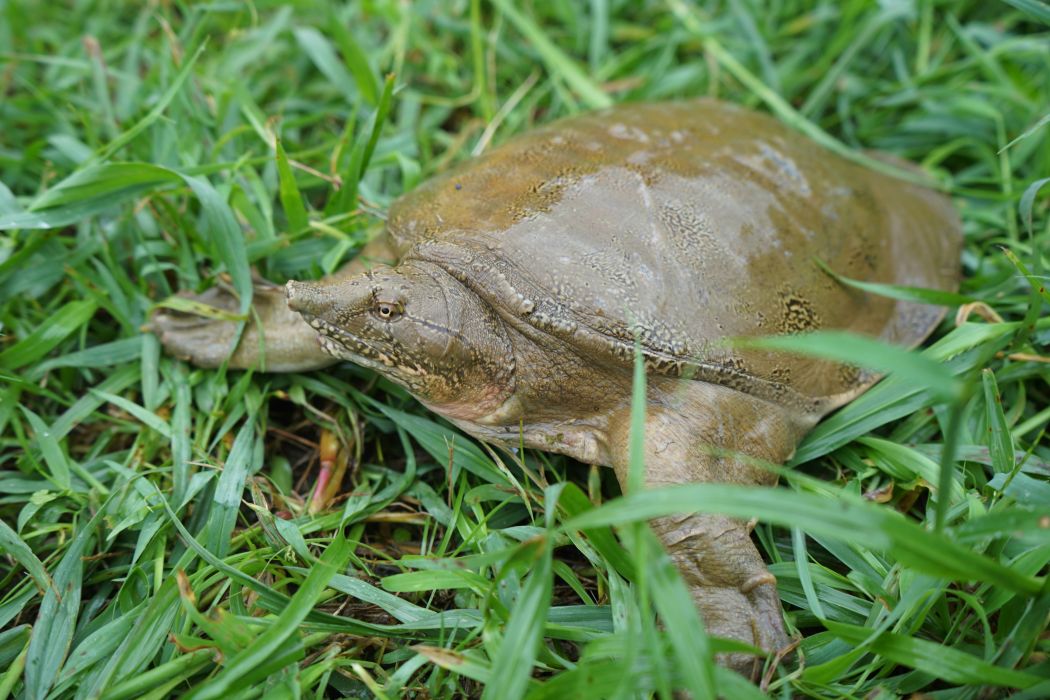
x,y
684,224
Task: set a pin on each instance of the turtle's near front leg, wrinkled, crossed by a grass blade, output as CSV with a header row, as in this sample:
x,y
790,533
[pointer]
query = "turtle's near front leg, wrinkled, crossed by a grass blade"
x,y
687,441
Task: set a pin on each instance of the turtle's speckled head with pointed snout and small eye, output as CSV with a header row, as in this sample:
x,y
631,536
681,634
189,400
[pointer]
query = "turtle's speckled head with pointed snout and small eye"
x,y
419,327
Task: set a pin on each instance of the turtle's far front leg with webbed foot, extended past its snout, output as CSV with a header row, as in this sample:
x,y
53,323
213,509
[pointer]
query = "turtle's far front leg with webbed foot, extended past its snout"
x,y
277,338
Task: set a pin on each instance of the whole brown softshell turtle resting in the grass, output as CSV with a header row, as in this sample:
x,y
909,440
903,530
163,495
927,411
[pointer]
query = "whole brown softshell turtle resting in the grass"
x,y
526,275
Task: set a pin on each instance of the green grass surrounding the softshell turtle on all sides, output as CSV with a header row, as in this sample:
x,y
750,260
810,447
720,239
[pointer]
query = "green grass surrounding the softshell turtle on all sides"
x,y
156,520
